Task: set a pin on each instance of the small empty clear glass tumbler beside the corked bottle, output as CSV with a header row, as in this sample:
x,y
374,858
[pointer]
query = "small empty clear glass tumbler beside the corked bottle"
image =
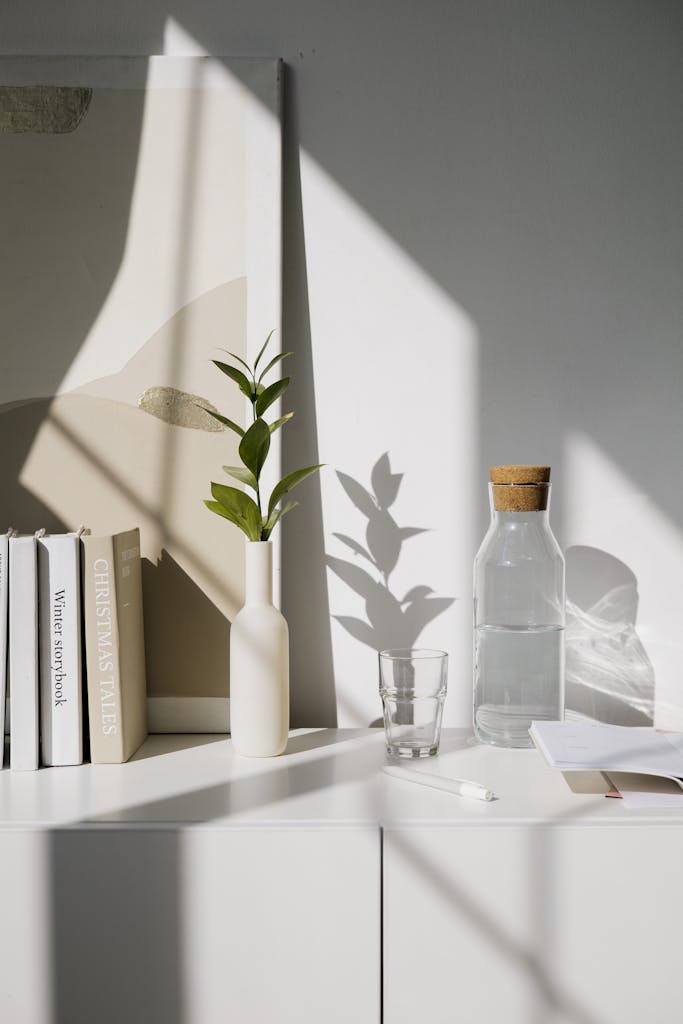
x,y
413,685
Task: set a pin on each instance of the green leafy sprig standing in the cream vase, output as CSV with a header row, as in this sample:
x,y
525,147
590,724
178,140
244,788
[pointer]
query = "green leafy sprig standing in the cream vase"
x,y
231,503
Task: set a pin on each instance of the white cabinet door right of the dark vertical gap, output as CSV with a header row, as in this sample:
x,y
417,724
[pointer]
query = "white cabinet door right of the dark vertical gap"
x,y
533,926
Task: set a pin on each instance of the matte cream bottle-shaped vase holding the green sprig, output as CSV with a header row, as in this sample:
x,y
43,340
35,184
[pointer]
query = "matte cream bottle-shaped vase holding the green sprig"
x,y
260,663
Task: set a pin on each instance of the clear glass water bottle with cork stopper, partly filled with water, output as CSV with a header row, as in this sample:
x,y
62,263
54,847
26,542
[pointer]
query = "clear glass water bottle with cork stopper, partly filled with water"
x,y
519,611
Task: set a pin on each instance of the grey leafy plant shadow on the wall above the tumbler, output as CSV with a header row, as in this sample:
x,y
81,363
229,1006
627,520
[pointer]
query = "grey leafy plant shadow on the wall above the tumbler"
x,y
391,621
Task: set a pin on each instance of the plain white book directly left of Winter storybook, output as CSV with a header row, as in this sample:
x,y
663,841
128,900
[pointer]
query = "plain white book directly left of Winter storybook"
x,y
24,748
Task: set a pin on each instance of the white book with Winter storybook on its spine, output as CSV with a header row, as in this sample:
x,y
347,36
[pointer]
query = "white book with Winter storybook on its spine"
x,y
61,660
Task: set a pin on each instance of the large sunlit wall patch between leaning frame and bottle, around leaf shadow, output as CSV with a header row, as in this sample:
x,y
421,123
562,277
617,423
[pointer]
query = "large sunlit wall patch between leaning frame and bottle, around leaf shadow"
x,y
396,371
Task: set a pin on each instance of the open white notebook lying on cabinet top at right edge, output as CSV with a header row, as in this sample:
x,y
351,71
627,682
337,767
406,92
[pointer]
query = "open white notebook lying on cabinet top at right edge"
x,y
613,749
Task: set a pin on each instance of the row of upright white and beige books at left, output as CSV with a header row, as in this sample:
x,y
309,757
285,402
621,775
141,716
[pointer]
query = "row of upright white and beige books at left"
x,y
71,639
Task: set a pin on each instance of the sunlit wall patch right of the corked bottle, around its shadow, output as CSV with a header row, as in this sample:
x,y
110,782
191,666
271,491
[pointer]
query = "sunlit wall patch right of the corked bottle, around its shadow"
x,y
609,513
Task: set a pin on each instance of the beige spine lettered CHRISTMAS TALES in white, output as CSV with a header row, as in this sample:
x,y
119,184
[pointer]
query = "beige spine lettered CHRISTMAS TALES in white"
x,y
103,655
